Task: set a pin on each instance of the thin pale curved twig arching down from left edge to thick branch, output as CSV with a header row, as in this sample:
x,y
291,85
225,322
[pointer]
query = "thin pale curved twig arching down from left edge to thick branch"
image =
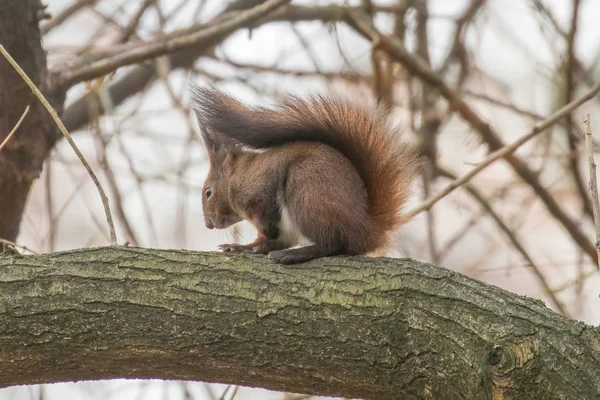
x,y
54,115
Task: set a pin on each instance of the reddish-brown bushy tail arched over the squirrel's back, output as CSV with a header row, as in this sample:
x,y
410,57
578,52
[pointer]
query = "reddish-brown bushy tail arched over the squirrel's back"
x,y
361,132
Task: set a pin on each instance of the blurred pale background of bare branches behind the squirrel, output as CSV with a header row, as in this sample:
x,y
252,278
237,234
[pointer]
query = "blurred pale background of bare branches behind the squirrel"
x,y
514,61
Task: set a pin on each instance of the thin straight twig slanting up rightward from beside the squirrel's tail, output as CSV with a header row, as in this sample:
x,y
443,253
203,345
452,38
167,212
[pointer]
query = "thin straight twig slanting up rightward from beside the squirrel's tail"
x,y
503,152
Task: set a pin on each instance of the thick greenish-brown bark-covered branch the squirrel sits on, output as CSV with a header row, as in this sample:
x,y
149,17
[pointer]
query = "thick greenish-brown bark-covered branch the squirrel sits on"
x,y
357,327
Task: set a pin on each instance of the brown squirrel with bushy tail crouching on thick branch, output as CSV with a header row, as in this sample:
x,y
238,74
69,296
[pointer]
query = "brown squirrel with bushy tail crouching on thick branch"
x,y
320,171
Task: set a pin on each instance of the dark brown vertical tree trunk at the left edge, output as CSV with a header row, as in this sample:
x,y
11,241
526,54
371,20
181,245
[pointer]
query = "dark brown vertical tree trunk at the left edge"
x,y
22,158
